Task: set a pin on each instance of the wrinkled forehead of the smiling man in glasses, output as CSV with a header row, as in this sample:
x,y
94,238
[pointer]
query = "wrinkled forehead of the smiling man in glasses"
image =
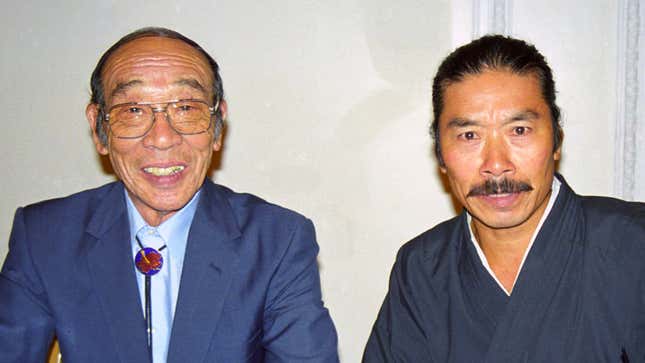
x,y
156,62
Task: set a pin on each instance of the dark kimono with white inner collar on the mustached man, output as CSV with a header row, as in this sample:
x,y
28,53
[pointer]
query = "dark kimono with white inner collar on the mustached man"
x,y
579,297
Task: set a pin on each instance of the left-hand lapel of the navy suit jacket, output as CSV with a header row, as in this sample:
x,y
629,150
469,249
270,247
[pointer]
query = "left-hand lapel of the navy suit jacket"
x,y
111,268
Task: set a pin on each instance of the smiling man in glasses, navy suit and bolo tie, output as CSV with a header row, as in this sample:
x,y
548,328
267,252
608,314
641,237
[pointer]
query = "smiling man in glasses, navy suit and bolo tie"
x,y
163,265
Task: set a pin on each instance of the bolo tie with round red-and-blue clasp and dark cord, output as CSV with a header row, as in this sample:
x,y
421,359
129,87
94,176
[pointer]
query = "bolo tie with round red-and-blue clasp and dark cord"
x,y
149,262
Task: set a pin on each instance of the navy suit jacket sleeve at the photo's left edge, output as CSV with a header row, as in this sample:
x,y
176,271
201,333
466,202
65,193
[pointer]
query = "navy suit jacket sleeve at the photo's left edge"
x,y
26,325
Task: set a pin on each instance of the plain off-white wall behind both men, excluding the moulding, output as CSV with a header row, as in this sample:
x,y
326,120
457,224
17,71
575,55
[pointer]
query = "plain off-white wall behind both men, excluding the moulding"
x,y
329,108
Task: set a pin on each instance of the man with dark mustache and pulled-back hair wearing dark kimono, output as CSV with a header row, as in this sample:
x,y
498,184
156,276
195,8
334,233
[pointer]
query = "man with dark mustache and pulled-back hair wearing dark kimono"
x,y
530,271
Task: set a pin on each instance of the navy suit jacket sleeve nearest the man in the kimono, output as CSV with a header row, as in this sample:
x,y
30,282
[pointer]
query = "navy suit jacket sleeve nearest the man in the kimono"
x,y
297,327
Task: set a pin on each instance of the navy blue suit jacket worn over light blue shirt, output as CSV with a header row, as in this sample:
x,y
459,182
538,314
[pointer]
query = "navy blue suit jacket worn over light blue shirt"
x,y
249,292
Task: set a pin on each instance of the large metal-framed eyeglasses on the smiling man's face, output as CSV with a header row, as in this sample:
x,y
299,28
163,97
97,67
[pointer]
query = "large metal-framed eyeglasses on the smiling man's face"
x,y
134,119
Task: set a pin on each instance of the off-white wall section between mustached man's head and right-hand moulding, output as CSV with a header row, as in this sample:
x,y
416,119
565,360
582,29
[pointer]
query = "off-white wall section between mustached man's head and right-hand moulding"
x,y
578,38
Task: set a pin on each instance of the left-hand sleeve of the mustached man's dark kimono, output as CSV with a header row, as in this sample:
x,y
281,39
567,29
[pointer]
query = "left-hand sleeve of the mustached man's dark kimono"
x,y
397,335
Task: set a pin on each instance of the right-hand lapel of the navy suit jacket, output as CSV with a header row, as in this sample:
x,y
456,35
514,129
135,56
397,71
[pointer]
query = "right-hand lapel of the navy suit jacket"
x,y
209,267
